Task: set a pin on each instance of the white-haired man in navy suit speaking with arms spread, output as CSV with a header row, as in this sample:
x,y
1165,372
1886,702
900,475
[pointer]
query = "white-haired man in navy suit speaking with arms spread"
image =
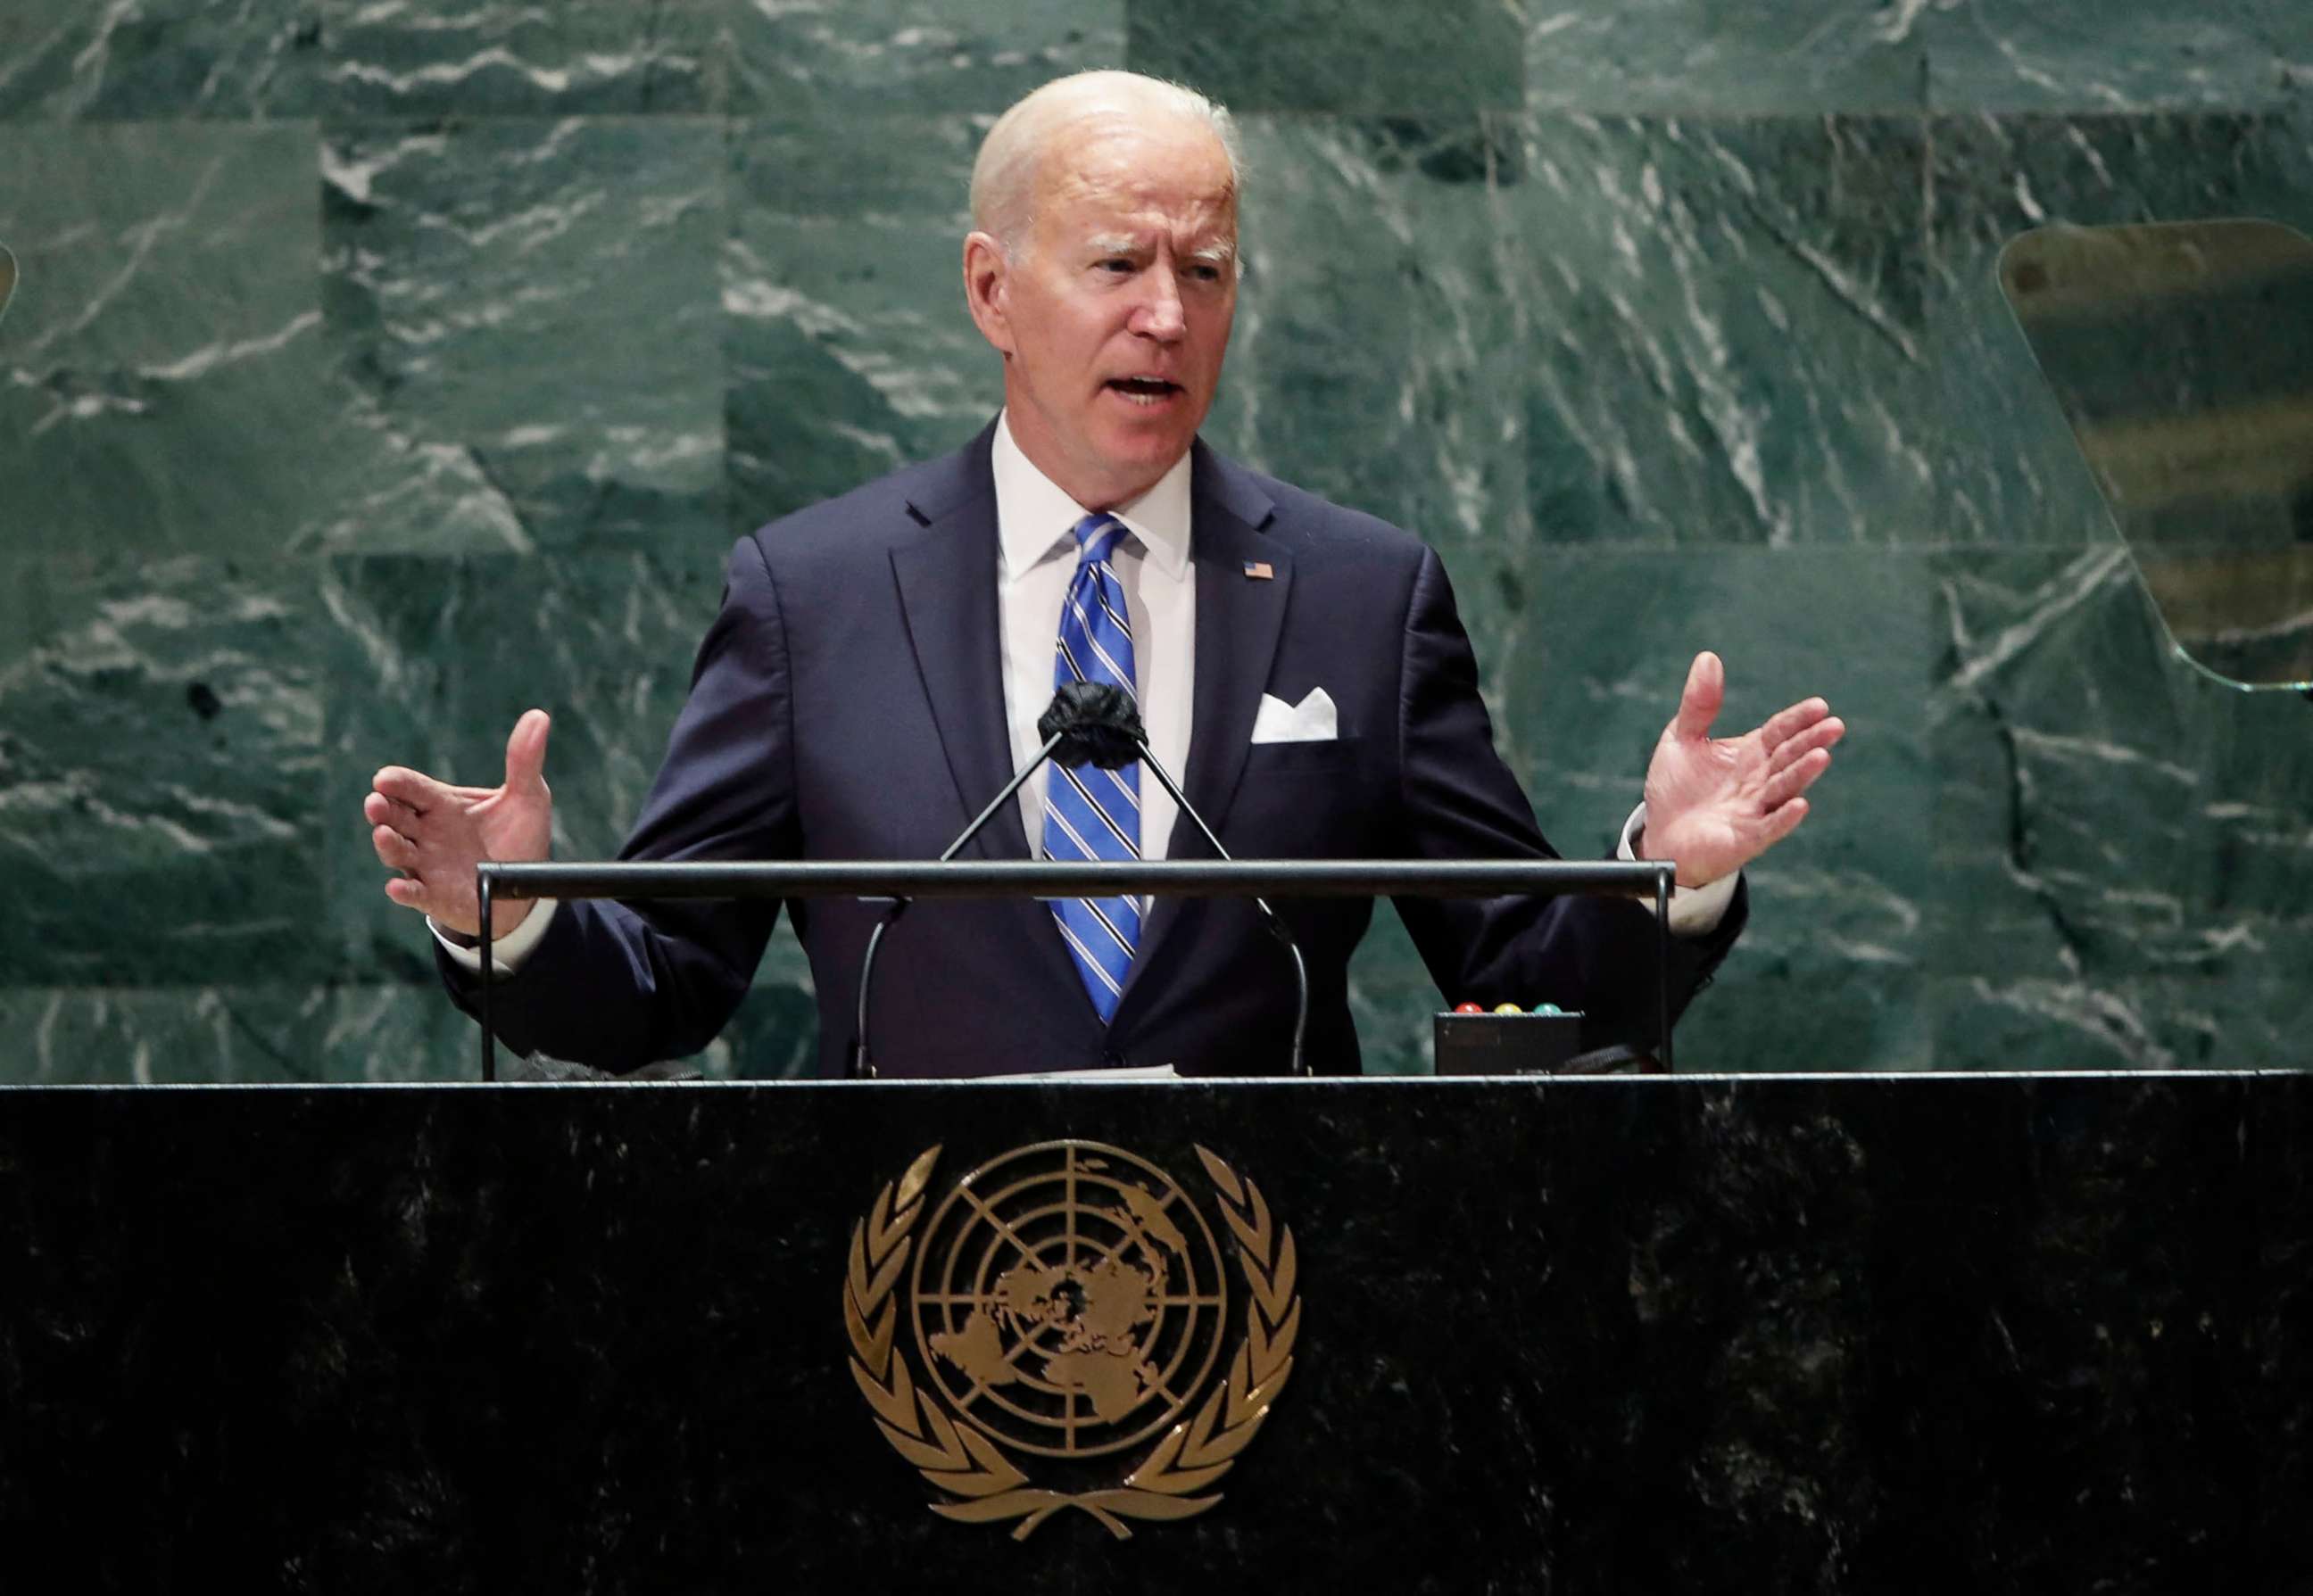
x,y
880,663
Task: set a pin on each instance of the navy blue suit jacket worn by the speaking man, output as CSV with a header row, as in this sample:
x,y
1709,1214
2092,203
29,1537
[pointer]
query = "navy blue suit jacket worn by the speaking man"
x,y
848,704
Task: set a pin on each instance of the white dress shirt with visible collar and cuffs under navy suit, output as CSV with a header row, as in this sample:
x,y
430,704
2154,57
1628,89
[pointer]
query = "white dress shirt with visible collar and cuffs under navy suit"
x,y
1035,566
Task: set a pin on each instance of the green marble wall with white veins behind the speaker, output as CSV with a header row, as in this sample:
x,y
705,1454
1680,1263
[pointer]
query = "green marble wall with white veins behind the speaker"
x,y
385,369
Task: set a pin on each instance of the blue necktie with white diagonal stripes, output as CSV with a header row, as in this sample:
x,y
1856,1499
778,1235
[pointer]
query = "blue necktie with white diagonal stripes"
x,y
1095,813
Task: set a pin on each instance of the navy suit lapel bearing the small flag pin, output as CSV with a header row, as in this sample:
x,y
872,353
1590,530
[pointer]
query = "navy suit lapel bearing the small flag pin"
x,y
1239,621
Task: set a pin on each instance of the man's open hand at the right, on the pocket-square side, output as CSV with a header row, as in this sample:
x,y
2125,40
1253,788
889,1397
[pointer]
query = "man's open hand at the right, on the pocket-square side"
x,y
1717,804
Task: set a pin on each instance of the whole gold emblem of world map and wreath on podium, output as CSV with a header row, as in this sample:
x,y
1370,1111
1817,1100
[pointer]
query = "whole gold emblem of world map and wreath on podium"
x,y
1063,1331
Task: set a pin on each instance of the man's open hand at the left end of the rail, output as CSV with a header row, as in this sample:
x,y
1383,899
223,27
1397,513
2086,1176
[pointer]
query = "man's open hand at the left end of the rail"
x,y
436,834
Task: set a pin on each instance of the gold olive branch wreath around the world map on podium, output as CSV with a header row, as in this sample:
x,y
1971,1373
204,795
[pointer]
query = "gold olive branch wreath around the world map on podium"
x,y
1174,1482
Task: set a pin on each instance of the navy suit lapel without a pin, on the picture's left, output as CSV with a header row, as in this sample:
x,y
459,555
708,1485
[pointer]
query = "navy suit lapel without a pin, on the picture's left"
x,y
949,603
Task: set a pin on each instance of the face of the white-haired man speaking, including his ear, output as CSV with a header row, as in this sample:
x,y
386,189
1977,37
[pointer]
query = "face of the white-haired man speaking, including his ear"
x,y
1116,316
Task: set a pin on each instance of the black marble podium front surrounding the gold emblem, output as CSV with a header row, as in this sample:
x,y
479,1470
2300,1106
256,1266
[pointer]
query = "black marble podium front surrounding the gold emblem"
x,y
1831,1333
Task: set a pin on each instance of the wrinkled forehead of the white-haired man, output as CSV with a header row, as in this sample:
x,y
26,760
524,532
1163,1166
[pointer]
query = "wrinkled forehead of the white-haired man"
x,y
1111,168
